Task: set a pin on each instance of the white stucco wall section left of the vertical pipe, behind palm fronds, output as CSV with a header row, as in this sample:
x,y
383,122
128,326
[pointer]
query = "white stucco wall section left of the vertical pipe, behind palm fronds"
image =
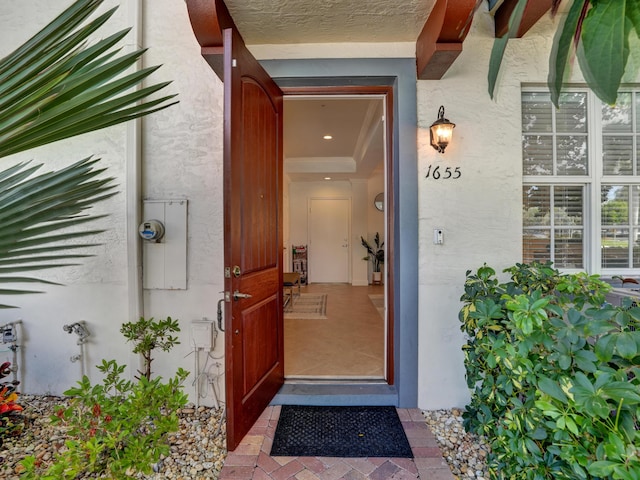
x,y
96,291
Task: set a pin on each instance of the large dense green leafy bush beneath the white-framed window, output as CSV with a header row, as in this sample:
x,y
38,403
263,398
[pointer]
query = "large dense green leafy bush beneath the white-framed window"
x,y
554,373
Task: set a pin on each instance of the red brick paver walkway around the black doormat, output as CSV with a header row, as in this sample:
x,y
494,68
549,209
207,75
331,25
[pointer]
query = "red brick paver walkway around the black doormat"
x,y
251,460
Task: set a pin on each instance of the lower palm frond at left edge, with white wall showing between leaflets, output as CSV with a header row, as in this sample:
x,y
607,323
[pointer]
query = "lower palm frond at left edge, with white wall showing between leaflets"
x,y
40,214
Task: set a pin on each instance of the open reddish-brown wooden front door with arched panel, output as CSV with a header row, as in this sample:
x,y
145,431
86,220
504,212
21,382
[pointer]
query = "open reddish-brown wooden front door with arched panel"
x,y
253,237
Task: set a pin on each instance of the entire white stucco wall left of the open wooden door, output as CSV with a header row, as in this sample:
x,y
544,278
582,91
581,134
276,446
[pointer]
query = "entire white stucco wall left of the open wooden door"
x,y
179,151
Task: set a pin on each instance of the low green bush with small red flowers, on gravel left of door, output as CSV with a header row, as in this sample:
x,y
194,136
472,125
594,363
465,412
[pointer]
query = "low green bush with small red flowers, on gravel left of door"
x,y
119,428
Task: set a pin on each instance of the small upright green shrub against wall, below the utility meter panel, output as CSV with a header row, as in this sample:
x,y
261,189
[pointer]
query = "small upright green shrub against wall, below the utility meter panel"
x,y
147,335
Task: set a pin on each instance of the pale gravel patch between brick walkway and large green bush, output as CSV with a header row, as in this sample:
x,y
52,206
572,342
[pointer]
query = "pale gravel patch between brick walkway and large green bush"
x,y
464,452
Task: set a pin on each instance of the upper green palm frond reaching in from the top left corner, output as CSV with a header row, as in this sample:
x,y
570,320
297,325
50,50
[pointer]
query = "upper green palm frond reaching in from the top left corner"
x,y
55,87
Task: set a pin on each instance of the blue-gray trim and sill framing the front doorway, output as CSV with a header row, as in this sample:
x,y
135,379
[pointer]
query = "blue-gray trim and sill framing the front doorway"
x,y
402,72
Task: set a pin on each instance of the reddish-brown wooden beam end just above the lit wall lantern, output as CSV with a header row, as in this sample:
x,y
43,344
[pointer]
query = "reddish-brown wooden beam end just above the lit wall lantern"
x,y
440,41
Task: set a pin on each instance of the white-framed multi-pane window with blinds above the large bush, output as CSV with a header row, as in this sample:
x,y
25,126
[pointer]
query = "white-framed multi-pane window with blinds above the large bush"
x,y
581,181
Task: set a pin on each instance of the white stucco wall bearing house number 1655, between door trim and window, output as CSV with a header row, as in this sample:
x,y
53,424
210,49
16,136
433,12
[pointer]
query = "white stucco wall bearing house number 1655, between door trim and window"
x,y
479,213
